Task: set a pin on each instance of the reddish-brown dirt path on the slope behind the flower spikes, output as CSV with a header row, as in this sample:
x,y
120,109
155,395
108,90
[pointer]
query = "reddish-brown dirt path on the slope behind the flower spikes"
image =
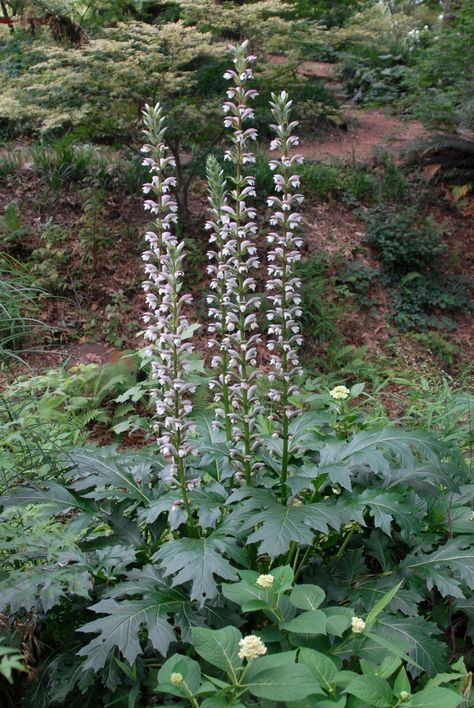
x,y
368,131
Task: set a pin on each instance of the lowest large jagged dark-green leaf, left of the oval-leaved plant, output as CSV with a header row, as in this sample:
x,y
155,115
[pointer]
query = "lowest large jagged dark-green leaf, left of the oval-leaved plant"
x,y
122,623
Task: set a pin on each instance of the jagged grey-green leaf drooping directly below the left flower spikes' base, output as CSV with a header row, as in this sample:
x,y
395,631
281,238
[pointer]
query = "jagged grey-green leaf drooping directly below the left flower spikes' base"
x,y
197,560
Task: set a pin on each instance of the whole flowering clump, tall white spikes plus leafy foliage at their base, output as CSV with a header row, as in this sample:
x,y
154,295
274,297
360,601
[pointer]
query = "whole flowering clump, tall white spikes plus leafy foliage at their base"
x,y
277,548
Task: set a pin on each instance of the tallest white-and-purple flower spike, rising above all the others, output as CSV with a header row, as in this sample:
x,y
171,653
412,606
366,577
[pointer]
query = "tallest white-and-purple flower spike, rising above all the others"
x,y
241,262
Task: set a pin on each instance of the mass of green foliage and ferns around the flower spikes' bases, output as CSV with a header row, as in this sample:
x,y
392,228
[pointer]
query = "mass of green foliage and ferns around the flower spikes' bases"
x,y
84,543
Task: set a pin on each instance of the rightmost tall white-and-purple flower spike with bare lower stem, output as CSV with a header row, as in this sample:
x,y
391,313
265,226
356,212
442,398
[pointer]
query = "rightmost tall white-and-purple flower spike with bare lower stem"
x,y
284,336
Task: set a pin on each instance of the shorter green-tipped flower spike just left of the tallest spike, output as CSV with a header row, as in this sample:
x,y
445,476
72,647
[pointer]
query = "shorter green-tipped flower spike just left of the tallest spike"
x,y
219,299
